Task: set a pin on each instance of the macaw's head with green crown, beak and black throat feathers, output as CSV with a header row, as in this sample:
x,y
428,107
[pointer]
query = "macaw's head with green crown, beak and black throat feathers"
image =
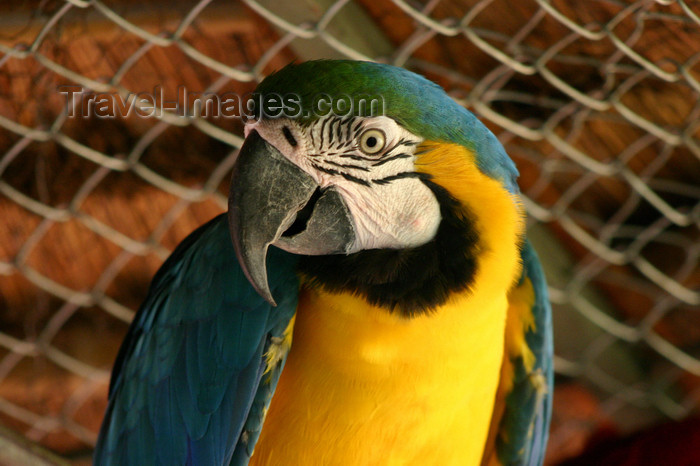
x,y
385,186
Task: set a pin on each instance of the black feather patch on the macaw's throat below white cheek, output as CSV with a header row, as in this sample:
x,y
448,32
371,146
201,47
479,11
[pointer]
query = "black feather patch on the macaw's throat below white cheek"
x,y
411,281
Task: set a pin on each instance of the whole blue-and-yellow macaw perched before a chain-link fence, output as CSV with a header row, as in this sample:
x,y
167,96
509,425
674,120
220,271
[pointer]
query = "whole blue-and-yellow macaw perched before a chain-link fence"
x,y
370,298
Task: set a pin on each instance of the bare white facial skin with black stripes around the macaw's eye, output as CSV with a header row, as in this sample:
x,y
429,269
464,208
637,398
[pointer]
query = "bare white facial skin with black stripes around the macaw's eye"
x,y
390,206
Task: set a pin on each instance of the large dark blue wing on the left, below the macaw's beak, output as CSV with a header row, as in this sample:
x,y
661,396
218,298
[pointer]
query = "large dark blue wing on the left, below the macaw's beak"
x,y
191,366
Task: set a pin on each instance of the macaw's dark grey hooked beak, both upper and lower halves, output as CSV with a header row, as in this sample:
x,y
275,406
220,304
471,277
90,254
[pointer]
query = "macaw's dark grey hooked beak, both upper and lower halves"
x,y
266,197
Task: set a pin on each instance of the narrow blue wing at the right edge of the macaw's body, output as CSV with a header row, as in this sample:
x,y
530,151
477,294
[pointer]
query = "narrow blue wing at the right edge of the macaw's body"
x,y
524,427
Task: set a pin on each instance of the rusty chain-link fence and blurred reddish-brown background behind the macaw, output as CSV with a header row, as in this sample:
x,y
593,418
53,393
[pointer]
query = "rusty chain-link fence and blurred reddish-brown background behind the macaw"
x,y
596,101
